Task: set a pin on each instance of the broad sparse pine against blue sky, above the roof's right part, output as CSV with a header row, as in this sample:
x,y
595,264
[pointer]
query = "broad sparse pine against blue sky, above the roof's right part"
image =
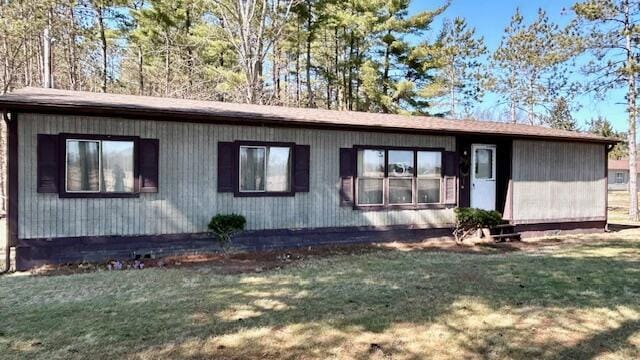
x,y
531,65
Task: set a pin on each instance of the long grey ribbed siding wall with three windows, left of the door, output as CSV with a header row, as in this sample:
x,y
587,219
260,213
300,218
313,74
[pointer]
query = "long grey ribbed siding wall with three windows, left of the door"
x,y
188,198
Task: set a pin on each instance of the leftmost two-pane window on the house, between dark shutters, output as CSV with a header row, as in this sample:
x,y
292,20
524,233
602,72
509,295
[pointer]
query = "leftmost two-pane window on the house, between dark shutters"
x,y
99,166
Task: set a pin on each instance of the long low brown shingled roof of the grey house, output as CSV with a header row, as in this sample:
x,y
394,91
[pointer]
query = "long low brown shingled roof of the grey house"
x,y
80,102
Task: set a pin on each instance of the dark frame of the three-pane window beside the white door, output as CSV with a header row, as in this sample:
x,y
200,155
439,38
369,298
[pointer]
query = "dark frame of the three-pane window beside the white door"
x,y
385,187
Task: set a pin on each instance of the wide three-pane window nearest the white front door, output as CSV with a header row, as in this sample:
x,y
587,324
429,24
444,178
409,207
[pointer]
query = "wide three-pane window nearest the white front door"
x,y
398,177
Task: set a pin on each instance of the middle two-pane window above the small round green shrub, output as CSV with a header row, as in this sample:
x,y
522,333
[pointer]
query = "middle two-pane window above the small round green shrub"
x,y
265,169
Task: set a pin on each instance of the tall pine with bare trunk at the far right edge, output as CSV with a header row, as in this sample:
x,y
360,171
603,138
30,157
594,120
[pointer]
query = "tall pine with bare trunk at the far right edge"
x,y
611,35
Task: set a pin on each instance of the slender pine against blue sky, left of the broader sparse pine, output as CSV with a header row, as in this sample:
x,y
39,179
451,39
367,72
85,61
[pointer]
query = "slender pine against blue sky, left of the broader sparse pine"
x,y
461,71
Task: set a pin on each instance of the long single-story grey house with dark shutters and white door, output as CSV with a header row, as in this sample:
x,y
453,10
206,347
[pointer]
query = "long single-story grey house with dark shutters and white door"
x,y
95,176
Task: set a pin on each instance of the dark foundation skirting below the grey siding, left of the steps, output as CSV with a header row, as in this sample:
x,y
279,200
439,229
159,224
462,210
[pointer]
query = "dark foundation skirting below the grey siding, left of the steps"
x,y
34,252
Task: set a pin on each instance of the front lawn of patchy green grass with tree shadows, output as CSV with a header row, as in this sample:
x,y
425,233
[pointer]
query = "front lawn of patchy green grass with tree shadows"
x,y
579,298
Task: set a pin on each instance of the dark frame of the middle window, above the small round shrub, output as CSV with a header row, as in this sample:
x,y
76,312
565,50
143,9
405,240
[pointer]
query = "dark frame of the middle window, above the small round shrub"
x,y
265,145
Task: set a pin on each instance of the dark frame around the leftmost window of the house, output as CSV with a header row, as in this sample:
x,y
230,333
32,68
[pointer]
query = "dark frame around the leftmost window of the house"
x,y
65,137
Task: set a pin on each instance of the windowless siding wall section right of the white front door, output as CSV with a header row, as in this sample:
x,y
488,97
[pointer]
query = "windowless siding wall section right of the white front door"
x,y
557,181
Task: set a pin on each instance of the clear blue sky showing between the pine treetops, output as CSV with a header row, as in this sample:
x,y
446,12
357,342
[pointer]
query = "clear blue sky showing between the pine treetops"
x,y
490,17
